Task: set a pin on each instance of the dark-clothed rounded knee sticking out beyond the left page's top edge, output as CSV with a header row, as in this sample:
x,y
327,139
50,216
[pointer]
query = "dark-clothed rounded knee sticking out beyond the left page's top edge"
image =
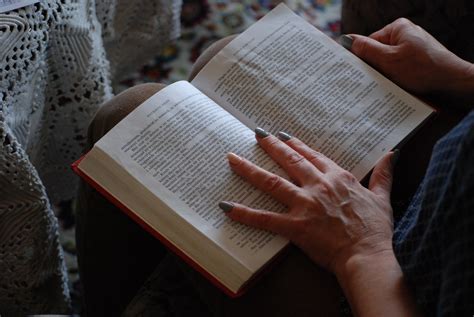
x,y
114,110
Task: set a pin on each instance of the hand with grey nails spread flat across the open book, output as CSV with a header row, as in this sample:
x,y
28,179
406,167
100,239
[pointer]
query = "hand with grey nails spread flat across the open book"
x,y
331,216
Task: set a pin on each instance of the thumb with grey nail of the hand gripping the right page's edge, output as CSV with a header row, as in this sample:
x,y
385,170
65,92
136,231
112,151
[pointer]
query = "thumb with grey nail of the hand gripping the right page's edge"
x,y
372,51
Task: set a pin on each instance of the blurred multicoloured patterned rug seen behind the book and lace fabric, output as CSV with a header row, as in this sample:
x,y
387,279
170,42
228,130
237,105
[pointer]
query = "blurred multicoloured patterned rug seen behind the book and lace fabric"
x,y
203,22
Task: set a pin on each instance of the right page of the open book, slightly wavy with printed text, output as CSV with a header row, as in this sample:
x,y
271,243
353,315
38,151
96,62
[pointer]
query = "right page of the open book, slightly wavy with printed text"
x,y
284,74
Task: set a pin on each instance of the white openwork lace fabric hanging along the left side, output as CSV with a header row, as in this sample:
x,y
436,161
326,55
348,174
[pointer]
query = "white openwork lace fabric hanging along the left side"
x,y
56,61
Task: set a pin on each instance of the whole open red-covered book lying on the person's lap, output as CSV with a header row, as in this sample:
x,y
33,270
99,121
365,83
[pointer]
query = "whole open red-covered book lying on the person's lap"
x,y
165,163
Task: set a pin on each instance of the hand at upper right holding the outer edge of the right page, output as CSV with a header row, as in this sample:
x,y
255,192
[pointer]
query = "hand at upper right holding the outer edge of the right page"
x,y
415,60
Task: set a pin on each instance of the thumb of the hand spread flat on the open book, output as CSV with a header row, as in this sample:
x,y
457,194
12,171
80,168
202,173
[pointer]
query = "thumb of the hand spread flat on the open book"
x,y
381,180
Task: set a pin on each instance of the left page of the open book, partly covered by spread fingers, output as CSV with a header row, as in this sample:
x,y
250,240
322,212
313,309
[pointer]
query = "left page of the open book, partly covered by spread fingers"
x,y
175,143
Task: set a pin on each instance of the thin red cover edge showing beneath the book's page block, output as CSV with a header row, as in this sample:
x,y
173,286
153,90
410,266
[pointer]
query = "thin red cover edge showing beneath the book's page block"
x,y
164,240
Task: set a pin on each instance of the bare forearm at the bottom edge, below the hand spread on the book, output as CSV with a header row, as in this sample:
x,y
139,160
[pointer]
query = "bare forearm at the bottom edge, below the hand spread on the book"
x,y
375,286
